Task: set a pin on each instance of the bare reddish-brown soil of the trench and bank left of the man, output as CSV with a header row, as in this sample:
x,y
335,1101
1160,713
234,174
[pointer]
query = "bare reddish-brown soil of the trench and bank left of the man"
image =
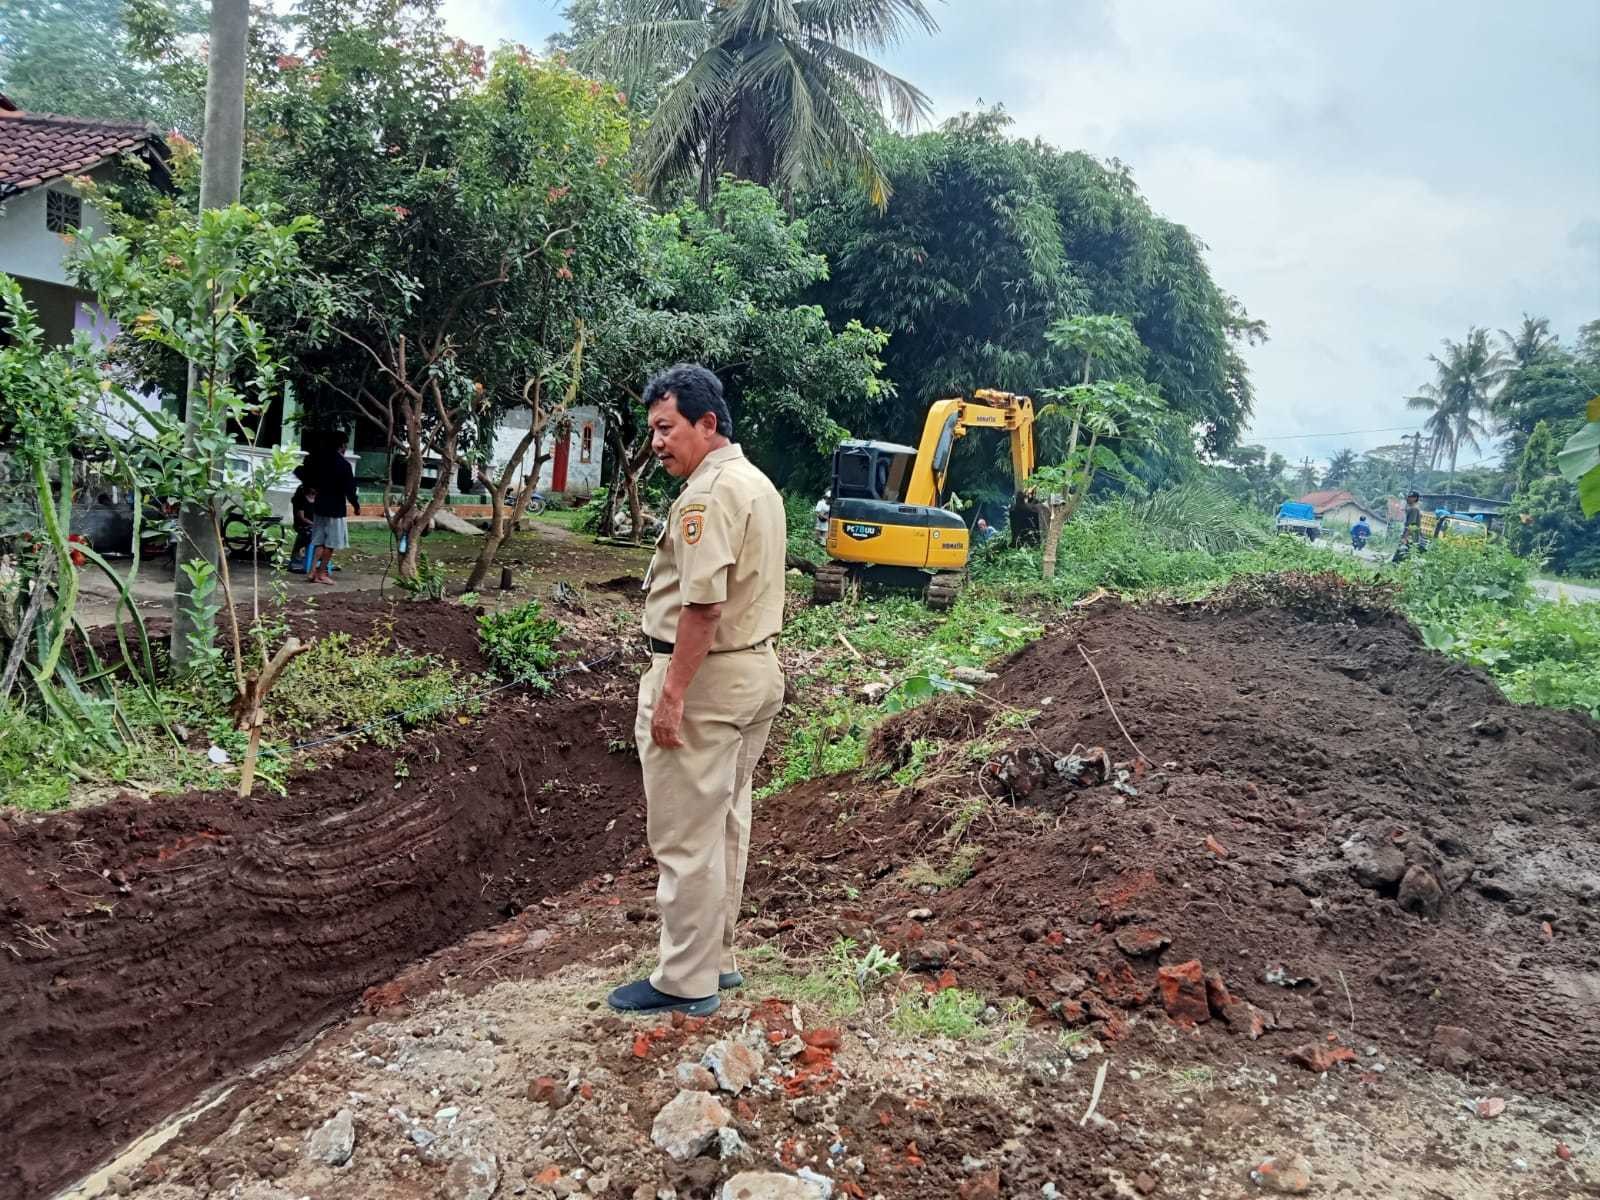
x,y
151,948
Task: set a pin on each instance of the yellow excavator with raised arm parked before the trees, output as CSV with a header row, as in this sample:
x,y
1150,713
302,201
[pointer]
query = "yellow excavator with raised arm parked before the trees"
x,y
886,521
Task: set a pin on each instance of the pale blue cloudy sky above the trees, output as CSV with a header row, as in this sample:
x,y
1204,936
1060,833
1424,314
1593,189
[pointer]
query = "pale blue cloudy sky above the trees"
x,y
1369,177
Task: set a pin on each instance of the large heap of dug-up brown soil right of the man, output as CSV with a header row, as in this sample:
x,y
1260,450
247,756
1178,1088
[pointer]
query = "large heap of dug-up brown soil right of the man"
x,y
1361,838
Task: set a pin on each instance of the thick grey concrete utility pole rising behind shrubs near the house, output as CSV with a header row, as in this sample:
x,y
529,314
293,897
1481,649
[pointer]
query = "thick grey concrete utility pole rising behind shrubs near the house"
x,y
223,151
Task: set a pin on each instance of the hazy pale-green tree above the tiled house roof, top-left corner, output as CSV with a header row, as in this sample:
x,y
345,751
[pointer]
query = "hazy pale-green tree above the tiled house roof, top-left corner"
x,y
116,60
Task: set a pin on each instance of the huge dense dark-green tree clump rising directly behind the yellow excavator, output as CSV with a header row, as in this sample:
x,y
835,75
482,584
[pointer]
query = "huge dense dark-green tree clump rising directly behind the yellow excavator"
x,y
988,241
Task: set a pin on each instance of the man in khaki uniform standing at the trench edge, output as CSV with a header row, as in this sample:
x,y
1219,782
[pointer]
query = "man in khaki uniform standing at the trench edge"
x,y
713,690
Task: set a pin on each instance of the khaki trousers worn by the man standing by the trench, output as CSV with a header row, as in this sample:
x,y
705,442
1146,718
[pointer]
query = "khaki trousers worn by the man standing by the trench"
x,y
698,801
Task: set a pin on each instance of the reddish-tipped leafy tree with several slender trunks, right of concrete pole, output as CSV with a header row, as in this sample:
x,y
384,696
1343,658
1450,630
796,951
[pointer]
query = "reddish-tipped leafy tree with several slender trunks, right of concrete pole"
x,y
473,212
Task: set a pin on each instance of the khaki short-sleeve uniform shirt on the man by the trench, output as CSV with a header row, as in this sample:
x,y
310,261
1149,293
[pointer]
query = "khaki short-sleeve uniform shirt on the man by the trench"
x,y
724,543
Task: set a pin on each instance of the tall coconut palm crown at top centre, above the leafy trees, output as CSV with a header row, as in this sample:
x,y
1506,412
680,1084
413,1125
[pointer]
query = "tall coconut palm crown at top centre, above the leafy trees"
x,y
777,92
